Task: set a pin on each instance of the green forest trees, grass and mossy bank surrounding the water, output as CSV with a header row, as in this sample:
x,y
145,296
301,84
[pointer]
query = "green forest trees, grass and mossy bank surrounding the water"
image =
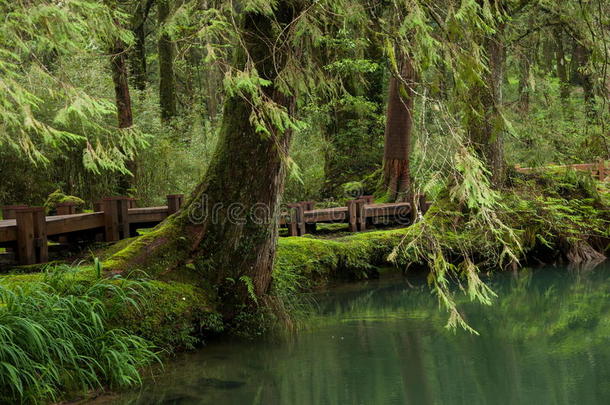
x,y
254,104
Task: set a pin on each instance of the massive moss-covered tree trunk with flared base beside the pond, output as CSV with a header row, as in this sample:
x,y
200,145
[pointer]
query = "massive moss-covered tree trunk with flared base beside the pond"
x,y
226,233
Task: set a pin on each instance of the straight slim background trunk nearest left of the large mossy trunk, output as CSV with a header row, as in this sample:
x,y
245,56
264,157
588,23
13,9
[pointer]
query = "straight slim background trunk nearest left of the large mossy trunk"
x,y
167,85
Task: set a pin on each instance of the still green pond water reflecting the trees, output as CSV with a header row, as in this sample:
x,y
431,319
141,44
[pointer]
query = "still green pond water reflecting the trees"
x,y
546,340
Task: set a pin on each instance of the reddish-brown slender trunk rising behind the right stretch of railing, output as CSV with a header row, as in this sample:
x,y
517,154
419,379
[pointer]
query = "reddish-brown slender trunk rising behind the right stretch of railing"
x,y
399,125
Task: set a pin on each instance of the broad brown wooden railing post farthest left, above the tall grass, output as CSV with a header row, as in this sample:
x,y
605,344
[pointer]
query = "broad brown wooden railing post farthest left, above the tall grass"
x,y
32,244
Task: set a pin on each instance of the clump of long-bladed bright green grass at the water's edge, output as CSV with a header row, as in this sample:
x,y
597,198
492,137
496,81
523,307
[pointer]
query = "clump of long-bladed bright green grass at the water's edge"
x,y
55,339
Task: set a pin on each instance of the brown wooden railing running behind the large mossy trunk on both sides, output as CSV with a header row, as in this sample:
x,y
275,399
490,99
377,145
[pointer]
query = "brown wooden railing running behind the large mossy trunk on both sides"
x,y
26,231
